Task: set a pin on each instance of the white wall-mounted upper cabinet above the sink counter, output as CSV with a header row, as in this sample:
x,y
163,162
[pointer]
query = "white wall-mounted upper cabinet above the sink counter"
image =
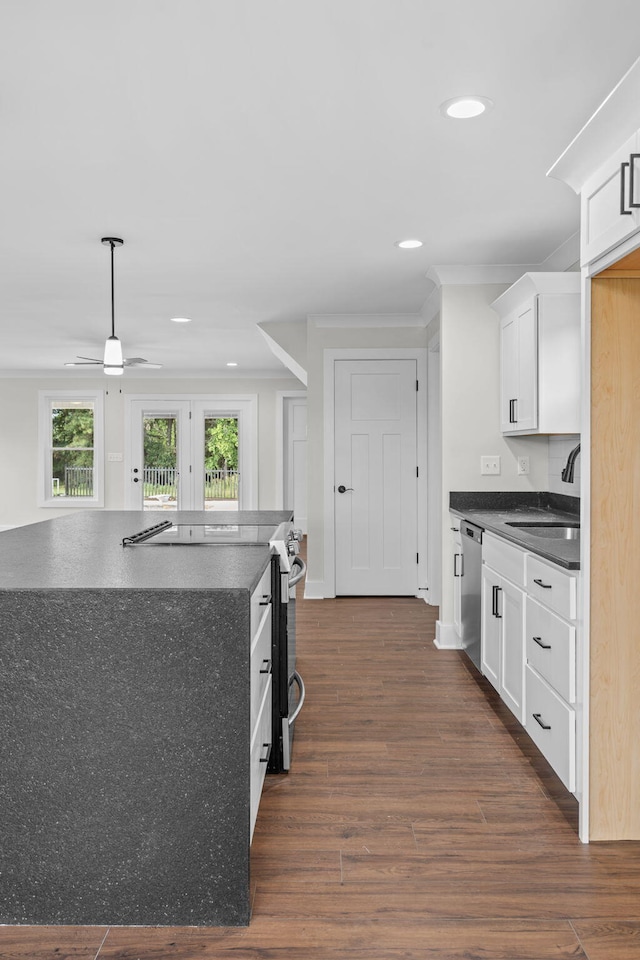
x,y
540,354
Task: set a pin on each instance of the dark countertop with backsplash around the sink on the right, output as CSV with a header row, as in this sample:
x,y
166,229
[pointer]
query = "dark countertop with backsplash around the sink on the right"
x,y
494,511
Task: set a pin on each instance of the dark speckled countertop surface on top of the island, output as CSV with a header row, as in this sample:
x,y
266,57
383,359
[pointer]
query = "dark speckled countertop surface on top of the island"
x,y
84,551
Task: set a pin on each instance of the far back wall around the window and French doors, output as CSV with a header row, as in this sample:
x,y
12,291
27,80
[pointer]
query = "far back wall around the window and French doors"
x,y
19,435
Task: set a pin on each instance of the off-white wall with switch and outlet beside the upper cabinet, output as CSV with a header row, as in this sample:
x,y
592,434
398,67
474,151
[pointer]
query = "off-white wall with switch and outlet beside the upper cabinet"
x,y
470,399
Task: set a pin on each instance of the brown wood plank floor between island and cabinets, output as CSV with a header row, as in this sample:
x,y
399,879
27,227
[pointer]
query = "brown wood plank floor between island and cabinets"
x,y
417,823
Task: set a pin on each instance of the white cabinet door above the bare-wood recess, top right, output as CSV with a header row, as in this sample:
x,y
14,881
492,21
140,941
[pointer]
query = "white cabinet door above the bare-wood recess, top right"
x,y
603,225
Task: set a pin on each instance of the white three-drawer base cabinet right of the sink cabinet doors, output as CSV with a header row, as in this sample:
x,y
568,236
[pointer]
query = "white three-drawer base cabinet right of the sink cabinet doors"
x,y
551,665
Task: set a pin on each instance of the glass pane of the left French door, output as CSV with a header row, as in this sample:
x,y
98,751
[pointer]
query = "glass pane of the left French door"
x,y
160,462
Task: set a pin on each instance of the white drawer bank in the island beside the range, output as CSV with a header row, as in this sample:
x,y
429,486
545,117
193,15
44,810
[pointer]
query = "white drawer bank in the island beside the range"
x,y
260,686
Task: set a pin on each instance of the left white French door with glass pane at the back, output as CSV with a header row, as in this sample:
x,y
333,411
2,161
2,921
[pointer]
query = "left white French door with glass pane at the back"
x,y
159,456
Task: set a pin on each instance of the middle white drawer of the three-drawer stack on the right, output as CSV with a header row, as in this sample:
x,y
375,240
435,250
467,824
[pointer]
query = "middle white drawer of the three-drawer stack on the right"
x,y
551,649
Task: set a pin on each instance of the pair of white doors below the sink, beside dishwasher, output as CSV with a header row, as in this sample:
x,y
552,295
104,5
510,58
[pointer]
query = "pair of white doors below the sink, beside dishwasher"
x,y
502,659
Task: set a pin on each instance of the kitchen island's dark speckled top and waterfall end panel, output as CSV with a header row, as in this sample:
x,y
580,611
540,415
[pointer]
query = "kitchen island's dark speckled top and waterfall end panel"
x,y
125,723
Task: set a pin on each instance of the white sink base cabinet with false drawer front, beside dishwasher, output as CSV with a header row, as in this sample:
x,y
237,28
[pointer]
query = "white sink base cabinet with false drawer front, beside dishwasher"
x,y
502,658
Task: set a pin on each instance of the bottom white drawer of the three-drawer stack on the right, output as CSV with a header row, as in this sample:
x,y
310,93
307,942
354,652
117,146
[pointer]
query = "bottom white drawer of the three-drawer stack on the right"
x,y
551,724
